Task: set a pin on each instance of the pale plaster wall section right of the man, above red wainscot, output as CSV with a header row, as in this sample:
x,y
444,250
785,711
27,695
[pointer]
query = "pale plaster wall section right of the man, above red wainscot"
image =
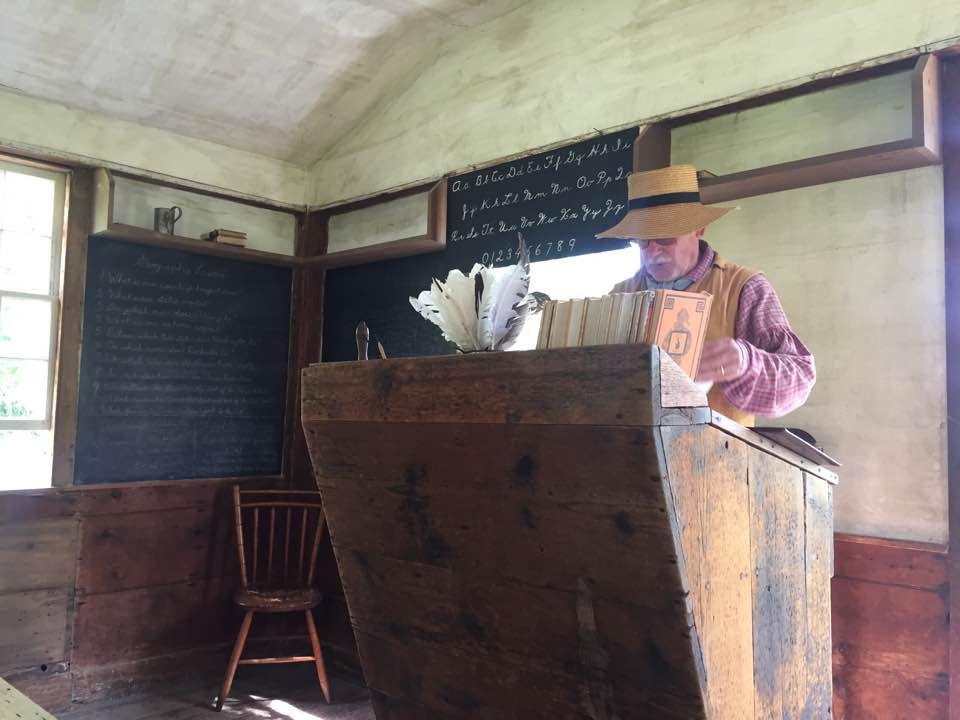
x,y
859,266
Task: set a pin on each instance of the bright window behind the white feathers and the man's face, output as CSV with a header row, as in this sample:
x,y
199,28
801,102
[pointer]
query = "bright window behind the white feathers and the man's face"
x,y
576,277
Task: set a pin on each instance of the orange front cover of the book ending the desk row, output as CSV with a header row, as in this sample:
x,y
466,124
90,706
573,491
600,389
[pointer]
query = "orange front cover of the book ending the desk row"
x,y
681,327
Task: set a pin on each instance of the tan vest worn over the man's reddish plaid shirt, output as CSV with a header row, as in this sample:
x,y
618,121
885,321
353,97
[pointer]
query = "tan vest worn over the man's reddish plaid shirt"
x,y
724,281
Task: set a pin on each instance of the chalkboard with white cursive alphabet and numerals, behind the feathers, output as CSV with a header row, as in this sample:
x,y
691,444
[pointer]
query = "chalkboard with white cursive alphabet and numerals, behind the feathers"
x,y
558,200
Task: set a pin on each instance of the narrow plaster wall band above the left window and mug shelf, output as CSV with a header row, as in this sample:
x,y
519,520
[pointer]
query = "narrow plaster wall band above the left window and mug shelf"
x,y
35,125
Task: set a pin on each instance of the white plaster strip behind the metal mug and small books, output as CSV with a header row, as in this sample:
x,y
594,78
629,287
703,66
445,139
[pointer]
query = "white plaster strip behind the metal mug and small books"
x,y
267,230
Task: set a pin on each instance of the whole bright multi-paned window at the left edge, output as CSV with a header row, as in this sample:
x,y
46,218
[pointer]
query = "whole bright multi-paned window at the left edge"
x,y
31,229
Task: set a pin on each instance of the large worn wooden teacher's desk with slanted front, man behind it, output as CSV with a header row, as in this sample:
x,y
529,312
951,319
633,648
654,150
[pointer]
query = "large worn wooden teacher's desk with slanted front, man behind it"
x,y
569,534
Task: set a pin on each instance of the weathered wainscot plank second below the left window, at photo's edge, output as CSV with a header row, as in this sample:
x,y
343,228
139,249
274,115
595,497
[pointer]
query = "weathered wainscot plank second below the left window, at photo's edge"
x,y
37,556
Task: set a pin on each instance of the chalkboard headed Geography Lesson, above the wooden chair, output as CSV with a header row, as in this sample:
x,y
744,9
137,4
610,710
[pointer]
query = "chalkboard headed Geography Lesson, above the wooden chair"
x,y
183,368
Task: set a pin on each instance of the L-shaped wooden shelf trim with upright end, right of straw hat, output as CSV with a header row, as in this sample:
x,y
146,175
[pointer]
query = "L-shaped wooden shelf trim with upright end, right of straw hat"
x,y
922,148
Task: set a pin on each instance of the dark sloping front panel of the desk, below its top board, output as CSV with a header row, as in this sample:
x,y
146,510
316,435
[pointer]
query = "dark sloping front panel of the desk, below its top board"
x,y
493,553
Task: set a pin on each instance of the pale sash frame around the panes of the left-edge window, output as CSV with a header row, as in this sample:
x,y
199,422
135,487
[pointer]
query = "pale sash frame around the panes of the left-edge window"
x,y
58,230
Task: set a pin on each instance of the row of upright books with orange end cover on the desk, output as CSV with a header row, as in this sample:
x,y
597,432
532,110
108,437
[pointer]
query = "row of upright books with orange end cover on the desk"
x,y
674,320
